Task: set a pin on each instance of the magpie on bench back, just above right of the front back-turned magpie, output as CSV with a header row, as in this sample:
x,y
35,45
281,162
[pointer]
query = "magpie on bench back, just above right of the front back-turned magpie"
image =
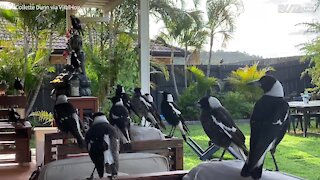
x,y
119,117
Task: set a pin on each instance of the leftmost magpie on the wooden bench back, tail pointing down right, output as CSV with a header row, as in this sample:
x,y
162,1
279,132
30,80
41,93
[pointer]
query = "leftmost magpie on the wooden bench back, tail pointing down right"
x,y
67,119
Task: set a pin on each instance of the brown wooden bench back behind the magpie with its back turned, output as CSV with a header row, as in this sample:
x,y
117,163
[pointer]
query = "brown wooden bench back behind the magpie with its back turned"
x,y
172,148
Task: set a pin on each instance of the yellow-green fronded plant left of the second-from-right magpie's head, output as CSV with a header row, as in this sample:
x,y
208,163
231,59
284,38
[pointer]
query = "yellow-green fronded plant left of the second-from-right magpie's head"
x,y
194,92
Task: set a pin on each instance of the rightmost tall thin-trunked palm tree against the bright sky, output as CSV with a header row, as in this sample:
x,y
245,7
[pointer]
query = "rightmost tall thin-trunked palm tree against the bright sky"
x,y
221,20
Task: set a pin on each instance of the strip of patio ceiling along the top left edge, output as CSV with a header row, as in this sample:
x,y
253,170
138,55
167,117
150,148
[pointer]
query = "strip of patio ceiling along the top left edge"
x,y
103,4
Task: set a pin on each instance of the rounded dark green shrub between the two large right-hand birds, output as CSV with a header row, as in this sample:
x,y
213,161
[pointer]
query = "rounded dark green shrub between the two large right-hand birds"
x,y
237,104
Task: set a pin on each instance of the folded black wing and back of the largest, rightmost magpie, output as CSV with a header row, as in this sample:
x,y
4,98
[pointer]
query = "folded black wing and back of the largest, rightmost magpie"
x,y
265,128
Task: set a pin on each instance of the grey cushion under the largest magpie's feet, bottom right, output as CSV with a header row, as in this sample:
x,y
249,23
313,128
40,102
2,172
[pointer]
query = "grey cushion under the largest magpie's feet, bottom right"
x,y
230,169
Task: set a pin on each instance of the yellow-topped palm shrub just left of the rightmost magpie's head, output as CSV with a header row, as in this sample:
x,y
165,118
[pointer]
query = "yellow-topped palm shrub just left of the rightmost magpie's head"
x,y
242,76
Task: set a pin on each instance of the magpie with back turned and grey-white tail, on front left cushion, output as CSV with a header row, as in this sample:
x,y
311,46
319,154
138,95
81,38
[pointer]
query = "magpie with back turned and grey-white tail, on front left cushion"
x,y
103,146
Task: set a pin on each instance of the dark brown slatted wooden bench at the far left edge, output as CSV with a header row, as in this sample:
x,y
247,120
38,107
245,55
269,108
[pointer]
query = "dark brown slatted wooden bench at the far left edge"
x,y
14,138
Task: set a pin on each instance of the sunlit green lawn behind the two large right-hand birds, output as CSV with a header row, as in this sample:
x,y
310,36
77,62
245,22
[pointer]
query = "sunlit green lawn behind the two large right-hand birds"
x,y
295,154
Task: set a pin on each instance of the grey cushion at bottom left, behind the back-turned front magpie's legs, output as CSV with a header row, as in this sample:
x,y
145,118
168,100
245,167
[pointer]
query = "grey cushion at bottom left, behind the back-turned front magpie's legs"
x,y
81,167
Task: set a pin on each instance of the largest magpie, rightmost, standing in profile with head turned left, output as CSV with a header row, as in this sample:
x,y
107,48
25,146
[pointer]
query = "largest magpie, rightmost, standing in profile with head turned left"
x,y
268,122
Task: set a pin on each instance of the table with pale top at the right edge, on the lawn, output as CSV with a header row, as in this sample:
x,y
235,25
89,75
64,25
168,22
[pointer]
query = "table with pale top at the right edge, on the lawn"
x,y
306,109
